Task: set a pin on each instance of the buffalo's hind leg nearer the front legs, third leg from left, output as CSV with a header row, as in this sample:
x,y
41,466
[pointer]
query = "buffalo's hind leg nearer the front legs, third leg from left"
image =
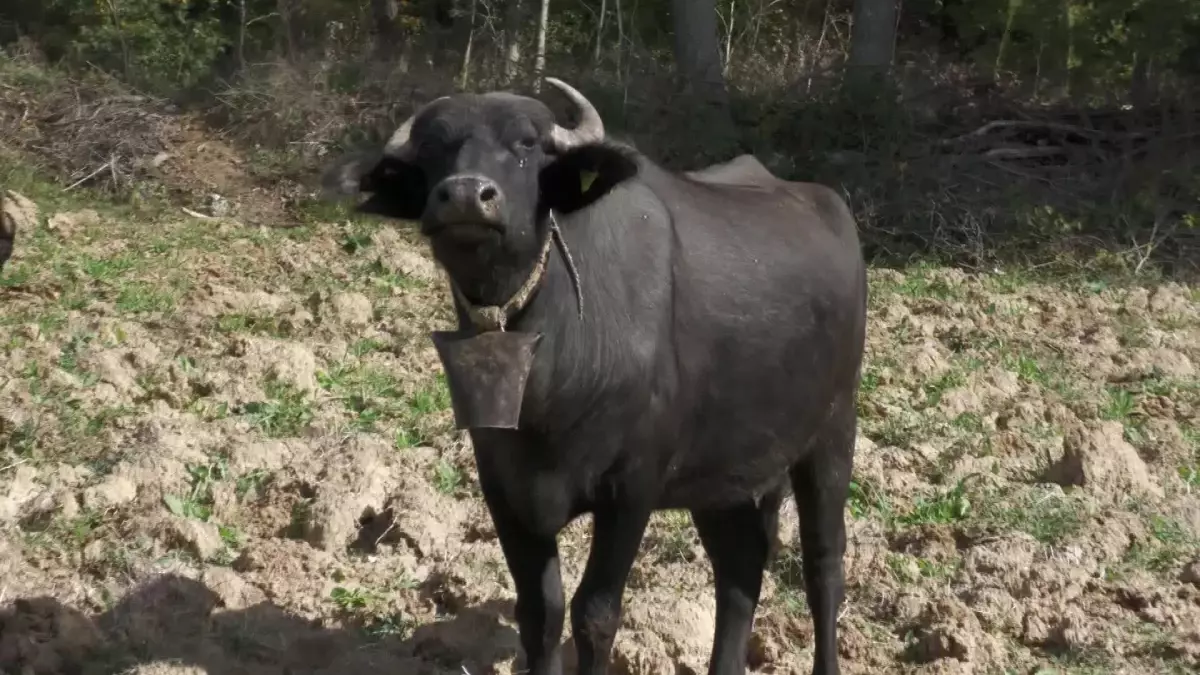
x,y
737,541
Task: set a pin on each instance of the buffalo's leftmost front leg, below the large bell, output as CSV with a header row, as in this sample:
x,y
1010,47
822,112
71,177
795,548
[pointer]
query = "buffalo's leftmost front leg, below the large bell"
x,y
533,563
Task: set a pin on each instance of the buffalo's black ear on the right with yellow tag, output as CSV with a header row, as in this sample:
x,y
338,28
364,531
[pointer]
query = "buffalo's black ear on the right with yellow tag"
x,y
581,176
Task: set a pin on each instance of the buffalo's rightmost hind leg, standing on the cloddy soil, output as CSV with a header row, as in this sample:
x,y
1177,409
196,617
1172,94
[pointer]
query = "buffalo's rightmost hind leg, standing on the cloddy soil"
x,y
821,483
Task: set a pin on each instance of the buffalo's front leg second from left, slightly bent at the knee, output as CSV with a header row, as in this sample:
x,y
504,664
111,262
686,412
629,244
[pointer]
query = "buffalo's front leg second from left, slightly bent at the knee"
x,y
596,611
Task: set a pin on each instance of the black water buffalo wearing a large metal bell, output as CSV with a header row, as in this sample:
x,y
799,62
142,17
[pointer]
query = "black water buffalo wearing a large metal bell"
x,y
689,342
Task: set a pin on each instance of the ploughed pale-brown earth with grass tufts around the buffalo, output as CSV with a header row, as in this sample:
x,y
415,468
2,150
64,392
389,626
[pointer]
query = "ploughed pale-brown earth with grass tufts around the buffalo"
x,y
232,449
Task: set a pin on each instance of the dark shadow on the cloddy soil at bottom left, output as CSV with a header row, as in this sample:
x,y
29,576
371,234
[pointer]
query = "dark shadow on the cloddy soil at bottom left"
x,y
178,623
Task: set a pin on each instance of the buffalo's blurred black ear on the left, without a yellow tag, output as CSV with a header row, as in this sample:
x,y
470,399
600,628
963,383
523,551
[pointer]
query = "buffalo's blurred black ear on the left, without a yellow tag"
x,y
398,189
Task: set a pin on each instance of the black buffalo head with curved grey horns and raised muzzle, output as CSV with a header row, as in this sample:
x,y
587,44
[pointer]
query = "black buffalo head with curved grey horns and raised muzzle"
x,y
483,172
